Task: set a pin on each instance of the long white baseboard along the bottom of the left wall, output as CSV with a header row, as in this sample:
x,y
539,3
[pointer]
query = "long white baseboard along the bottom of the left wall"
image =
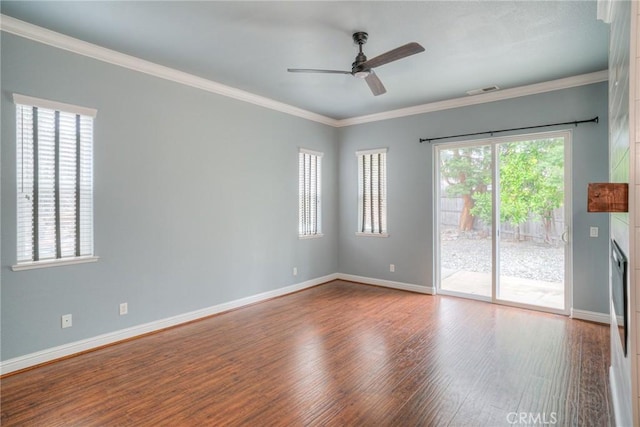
x,y
50,354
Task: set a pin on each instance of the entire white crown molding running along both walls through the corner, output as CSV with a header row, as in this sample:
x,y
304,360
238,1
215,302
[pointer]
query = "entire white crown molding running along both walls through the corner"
x,y
51,38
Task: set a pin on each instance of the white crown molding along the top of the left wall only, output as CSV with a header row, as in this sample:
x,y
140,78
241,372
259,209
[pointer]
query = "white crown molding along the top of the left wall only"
x,y
51,38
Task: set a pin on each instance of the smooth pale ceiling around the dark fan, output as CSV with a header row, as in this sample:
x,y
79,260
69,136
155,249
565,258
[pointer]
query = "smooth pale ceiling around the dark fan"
x,y
250,45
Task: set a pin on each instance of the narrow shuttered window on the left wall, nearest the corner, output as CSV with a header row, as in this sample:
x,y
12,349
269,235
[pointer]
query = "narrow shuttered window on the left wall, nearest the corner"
x,y
309,193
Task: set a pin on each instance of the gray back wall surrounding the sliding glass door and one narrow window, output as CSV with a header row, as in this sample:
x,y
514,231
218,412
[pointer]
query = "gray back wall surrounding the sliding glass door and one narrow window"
x,y
410,186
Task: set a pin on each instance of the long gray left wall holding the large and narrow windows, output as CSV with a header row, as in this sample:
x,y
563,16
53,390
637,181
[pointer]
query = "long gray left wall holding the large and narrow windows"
x,y
196,201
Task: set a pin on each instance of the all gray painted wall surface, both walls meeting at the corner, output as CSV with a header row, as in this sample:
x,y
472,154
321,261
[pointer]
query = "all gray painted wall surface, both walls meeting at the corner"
x,y
196,197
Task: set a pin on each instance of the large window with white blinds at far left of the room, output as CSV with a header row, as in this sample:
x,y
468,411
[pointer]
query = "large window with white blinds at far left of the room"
x,y
54,164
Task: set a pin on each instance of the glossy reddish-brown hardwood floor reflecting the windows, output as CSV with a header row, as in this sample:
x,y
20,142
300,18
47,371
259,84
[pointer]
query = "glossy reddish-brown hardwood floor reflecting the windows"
x,y
334,355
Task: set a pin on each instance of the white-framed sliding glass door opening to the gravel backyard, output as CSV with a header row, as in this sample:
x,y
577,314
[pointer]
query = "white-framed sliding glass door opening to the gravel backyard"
x,y
501,220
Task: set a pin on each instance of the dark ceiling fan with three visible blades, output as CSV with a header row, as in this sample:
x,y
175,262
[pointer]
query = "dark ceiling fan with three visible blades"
x,y
363,68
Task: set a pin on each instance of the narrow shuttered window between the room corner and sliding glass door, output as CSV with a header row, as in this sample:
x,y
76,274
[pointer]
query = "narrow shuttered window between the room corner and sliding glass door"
x,y
372,192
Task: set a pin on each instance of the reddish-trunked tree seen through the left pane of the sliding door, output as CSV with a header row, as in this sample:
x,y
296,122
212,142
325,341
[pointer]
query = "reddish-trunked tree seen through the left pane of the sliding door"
x,y
467,172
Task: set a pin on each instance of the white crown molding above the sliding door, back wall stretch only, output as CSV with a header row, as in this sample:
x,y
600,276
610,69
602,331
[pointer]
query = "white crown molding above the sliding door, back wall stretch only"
x,y
566,83
